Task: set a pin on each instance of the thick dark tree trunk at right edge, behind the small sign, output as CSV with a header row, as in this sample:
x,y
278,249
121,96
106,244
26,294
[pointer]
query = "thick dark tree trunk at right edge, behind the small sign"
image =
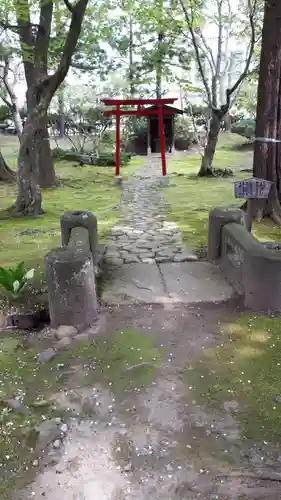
x,y
268,121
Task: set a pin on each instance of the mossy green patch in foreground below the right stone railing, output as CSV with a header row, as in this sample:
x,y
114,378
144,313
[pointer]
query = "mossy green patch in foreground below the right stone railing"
x,y
245,367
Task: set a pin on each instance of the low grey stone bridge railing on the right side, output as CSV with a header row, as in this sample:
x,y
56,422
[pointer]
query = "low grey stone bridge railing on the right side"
x,y
251,267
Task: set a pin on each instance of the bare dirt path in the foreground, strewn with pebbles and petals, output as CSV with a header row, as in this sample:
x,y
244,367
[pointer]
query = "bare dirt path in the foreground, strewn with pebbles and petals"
x,y
159,441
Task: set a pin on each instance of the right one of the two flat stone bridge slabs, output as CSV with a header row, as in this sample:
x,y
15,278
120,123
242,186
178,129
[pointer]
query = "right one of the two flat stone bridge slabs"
x,y
193,282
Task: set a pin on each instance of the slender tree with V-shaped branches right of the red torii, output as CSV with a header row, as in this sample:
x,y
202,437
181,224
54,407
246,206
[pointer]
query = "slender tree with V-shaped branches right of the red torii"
x,y
216,63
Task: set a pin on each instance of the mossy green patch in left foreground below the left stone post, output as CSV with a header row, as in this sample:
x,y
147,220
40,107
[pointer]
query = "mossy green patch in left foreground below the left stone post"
x,y
100,362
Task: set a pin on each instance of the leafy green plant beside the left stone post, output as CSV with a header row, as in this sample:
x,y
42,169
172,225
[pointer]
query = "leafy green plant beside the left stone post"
x,y
14,280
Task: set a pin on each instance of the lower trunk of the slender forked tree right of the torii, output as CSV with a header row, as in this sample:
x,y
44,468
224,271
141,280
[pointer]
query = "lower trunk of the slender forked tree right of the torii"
x,y
206,168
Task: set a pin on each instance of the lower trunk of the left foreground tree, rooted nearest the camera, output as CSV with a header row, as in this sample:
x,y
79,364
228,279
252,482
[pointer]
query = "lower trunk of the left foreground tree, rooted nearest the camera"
x,y
29,198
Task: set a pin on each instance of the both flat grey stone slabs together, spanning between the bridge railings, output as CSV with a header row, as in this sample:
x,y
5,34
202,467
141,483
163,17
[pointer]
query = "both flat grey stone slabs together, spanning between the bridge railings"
x,y
184,282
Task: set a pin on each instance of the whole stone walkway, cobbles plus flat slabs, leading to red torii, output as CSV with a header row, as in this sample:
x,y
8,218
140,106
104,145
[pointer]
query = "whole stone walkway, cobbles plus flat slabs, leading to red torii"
x,y
148,260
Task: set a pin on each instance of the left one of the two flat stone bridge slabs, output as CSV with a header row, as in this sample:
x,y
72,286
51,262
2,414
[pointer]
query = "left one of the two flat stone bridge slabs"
x,y
133,283
